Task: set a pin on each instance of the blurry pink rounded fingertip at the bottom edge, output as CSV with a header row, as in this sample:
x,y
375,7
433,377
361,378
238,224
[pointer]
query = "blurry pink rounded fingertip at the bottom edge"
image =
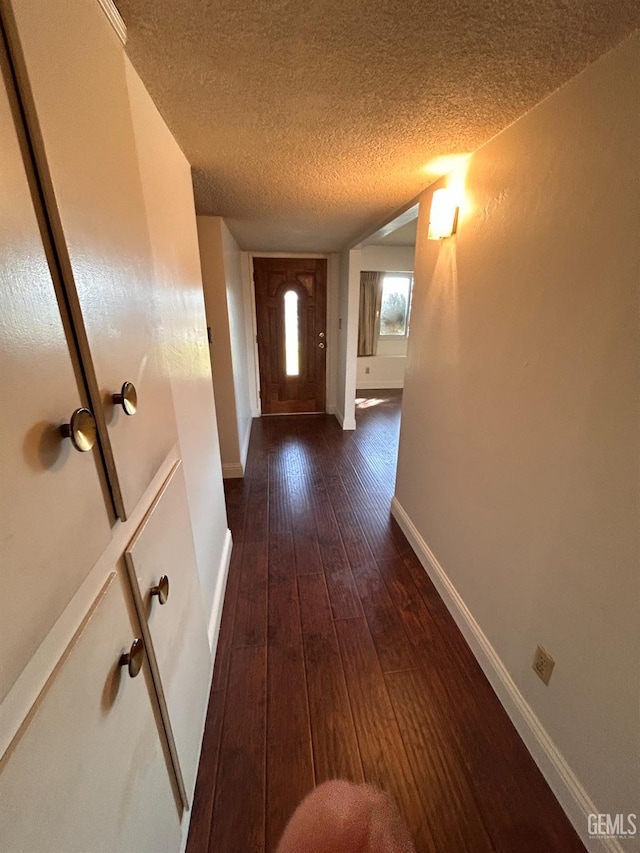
x,y
340,817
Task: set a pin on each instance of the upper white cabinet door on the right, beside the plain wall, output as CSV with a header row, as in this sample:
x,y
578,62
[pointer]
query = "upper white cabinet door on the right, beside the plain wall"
x,y
71,70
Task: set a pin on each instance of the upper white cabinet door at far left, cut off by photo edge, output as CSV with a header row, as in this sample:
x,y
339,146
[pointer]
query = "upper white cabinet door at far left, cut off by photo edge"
x,y
53,515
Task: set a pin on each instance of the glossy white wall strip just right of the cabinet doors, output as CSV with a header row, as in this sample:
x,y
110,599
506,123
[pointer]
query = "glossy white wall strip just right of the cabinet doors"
x,y
166,175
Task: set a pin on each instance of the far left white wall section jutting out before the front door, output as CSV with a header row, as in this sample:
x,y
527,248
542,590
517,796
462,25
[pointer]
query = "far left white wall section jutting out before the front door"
x,y
223,294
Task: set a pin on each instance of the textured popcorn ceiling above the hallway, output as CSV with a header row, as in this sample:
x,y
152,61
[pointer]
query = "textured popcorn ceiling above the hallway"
x,y
309,124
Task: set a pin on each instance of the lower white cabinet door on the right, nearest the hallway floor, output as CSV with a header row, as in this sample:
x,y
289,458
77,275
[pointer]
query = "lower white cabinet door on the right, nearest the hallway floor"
x,y
176,629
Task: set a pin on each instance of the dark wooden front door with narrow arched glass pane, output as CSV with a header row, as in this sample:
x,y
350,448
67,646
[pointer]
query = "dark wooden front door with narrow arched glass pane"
x,y
291,295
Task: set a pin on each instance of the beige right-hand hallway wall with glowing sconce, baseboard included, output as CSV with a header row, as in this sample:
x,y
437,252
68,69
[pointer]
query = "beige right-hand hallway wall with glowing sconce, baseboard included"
x,y
519,463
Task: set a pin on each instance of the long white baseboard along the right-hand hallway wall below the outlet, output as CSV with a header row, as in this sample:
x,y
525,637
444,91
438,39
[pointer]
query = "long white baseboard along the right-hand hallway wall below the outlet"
x,y
563,782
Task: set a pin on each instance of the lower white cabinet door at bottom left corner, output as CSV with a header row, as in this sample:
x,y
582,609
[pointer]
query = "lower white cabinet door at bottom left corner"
x,y
87,771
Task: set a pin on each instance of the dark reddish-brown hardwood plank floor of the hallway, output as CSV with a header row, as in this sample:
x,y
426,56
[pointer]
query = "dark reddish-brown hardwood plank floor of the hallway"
x,y
338,659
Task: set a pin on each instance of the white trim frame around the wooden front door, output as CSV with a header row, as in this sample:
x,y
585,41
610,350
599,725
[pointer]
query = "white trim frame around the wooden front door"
x,y
251,327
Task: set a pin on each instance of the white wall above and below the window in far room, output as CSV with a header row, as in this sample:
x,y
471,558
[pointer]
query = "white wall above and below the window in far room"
x,y
386,368
